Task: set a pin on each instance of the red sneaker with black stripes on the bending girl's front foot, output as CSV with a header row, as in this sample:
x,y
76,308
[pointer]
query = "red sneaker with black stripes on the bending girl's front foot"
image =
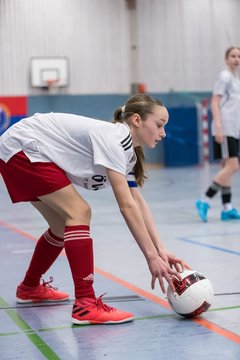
x,y
94,311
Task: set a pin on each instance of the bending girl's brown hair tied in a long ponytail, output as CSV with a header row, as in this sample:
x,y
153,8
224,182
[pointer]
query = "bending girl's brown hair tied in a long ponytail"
x,y
141,104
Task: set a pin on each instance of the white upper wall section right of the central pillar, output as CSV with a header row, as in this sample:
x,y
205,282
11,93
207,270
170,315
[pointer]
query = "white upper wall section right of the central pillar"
x,y
182,42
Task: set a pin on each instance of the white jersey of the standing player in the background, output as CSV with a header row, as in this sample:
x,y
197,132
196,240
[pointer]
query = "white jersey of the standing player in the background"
x,y
228,86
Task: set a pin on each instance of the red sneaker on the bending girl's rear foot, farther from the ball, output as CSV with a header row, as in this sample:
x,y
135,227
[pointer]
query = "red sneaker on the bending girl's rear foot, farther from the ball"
x,y
43,292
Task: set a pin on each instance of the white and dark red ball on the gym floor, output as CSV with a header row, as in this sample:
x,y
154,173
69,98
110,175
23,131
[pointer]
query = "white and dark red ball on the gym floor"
x,y
193,295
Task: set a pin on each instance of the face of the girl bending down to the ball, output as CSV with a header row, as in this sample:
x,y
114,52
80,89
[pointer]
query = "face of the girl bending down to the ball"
x,y
150,131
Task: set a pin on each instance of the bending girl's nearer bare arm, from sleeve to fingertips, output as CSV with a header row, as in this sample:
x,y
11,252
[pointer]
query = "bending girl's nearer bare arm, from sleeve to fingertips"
x,y
130,211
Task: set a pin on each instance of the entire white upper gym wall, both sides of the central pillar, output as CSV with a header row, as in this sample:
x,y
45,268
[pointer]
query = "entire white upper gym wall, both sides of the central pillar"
x,y
180,44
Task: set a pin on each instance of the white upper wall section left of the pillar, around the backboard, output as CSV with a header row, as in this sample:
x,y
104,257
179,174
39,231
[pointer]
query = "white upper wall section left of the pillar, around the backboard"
x,y
92,34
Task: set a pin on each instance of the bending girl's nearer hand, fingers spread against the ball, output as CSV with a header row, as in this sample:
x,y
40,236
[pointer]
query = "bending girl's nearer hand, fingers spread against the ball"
x,y
160,269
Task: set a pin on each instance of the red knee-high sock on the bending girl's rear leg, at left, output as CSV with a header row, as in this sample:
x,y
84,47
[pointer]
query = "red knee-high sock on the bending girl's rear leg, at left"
x,y
46,251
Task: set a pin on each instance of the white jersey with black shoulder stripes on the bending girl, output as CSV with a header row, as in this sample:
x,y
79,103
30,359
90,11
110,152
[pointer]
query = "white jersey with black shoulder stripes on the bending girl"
x,y
83,147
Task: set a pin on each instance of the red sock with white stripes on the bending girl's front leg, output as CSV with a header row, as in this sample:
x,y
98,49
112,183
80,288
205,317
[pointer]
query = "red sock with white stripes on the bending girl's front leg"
x,y
79,251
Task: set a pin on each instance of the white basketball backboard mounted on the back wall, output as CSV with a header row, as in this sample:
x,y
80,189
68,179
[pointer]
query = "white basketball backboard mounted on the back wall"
x,y
46,70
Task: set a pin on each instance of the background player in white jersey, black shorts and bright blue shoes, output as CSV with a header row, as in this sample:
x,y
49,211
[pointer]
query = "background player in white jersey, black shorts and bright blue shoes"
x,y
225,105
